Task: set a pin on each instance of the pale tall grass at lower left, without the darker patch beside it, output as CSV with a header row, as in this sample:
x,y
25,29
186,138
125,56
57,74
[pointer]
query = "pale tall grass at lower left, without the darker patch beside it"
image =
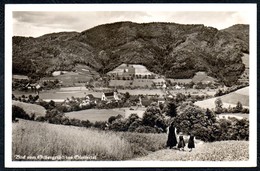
x,y
33,139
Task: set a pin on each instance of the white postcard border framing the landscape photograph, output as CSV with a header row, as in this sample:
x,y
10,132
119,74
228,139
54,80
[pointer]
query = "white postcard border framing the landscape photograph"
x,y
250,8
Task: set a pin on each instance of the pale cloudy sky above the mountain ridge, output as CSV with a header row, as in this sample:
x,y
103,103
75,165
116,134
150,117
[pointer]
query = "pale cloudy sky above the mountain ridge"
x,y
38,23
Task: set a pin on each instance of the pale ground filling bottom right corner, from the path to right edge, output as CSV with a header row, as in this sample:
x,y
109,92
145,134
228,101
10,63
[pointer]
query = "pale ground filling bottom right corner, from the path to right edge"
x,y
216,151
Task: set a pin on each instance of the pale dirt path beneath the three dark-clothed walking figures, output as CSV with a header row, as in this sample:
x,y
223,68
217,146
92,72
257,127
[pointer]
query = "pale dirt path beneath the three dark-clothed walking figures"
x,y
173,154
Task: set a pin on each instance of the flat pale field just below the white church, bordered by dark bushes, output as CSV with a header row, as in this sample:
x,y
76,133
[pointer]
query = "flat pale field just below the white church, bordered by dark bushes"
x,y
94,115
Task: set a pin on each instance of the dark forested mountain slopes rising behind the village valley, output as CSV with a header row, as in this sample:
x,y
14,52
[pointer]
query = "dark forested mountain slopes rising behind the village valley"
x,y
174,50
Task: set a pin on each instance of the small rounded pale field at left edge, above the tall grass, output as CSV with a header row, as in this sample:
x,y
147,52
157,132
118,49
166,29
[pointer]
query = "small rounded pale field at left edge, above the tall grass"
x,y
30,108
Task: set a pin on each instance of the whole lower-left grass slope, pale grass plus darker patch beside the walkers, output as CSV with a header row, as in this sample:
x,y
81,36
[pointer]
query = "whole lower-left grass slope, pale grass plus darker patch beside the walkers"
x,y
43,141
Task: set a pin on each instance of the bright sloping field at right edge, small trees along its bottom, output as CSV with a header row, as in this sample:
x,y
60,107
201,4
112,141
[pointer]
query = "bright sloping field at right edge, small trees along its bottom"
x,y
230,99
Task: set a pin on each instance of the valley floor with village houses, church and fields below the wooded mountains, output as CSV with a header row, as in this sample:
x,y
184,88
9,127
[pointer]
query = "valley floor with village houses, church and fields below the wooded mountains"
x,y
129,87
